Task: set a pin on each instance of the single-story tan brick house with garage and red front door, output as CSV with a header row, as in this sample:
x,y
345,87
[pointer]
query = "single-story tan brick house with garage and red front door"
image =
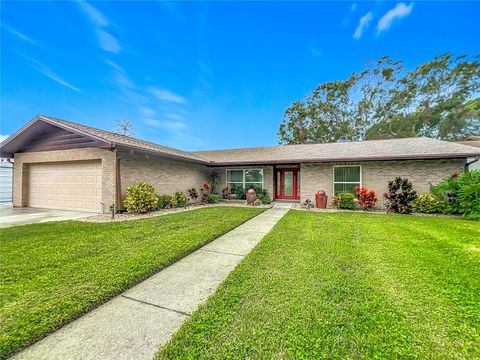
x,y
65,165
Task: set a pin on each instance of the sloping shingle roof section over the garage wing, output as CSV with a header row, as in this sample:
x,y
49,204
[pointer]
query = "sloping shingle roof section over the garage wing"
x,y
127,141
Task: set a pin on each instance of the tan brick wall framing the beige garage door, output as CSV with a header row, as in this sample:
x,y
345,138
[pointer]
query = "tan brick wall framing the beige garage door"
x,y
22,161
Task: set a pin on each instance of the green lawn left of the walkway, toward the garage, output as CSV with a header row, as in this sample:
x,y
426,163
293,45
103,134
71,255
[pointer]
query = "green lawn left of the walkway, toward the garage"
x,y
52,273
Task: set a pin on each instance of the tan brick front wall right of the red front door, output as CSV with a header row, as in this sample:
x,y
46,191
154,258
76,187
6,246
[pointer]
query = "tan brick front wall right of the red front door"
x,y
376,174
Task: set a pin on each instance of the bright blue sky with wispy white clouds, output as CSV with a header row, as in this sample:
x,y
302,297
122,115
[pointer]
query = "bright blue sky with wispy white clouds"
x,y
205,75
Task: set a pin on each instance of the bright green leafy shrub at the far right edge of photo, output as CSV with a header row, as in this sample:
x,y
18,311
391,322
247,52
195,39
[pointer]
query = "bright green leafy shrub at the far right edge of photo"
x,y
461,193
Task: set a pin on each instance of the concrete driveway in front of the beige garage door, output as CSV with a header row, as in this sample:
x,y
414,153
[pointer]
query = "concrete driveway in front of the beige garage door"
x,y
10,216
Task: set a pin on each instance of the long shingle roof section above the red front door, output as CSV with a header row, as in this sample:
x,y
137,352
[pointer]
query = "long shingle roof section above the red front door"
x,y
407,148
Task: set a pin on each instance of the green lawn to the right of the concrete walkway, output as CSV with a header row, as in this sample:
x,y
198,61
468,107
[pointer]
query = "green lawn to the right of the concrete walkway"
x,y
343,285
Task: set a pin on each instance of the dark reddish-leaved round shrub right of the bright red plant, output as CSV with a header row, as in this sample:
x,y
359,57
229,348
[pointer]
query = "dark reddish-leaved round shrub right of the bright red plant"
x,y
399,196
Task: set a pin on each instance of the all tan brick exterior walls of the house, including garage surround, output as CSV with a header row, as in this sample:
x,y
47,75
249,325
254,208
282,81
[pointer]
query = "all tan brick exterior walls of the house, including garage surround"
x,y
169,176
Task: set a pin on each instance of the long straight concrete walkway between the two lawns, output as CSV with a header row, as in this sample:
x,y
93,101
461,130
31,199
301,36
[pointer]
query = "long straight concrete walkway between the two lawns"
x,y
137,323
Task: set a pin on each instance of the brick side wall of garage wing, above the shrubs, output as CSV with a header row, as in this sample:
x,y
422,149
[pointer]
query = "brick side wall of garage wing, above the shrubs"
x,y
167,176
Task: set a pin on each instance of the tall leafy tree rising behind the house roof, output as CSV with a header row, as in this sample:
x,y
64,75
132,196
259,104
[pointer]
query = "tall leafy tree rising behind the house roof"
x,y
439,98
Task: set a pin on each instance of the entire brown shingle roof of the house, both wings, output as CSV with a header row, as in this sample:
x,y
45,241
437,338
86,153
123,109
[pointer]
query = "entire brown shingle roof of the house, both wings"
x,y
408,148
